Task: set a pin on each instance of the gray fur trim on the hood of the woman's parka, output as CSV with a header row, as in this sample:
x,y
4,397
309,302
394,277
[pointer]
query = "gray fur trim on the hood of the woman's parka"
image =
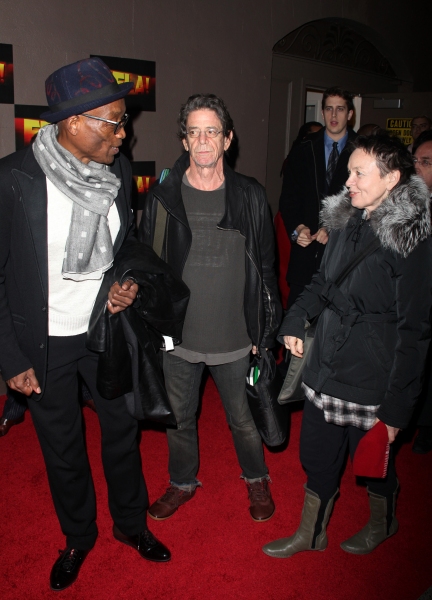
x,y
401,221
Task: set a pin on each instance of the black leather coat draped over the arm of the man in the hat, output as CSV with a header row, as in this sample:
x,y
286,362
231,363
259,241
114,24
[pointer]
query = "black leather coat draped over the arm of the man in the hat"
x,y
129,341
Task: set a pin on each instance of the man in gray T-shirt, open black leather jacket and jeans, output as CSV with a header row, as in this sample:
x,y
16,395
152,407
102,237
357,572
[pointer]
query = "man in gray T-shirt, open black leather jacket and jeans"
x,y
219,238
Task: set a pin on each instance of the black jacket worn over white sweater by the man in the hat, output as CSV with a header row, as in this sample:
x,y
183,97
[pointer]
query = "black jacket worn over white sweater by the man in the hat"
x,y
24,260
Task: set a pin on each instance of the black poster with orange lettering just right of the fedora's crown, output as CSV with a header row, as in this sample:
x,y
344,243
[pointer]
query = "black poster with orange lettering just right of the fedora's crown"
x,y
143,75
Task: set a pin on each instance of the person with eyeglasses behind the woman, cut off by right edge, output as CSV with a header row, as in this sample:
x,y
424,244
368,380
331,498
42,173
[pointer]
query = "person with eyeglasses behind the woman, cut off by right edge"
x,y
422,157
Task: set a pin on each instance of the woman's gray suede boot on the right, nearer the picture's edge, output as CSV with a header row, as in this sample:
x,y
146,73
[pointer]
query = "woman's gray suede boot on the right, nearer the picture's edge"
x,y
382,524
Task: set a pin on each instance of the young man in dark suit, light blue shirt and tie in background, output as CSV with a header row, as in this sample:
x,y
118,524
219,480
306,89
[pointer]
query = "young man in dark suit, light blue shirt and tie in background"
x,y
318,169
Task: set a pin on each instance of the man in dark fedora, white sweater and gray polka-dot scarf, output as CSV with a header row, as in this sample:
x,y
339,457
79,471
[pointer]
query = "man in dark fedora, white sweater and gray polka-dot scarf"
x,y
64,215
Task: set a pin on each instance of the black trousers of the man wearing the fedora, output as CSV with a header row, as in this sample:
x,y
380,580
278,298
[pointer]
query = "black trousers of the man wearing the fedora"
x,y
58,422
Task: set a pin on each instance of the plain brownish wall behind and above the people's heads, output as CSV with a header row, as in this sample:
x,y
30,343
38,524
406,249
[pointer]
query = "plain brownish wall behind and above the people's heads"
x,y
198,45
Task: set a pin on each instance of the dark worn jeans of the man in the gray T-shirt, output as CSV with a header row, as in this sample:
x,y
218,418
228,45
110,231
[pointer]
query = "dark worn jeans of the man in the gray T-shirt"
x,y
182,380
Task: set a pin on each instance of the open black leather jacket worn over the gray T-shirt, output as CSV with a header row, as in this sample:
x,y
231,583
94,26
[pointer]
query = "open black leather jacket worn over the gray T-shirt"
x,y
247,211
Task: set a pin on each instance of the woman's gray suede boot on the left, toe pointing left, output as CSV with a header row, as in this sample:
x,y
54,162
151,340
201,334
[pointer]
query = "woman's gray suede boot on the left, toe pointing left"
x,y
309,528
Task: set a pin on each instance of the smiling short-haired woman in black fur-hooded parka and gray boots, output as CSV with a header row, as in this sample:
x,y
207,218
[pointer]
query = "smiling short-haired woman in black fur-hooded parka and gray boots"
x,y
371,340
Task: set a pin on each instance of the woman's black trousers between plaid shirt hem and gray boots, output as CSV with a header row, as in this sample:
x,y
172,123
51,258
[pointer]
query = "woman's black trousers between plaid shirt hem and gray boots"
x,y
323,448
